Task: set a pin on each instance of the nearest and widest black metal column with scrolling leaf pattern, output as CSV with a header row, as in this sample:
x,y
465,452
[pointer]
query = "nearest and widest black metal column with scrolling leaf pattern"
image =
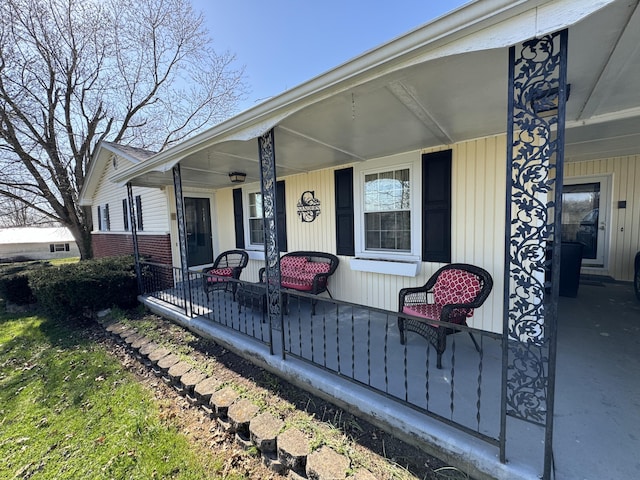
x,y
535,157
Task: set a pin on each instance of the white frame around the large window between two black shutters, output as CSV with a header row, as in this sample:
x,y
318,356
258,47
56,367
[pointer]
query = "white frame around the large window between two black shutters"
x,y
389,164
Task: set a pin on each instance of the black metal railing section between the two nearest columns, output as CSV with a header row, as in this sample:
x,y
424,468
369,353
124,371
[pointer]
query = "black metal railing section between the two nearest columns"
x,y
362,344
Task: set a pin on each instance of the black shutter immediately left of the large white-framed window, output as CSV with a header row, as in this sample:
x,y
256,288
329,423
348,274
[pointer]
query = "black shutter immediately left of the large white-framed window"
x,y
345,242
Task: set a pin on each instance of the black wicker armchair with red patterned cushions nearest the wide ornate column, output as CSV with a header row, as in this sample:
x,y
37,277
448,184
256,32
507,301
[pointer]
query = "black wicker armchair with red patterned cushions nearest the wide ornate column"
x,y
450,296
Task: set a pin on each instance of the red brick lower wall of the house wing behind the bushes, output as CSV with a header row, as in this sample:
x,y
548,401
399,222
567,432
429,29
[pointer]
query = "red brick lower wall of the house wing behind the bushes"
x,y
156,248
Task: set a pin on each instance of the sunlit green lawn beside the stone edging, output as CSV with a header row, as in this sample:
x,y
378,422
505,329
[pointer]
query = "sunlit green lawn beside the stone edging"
x,y
68,410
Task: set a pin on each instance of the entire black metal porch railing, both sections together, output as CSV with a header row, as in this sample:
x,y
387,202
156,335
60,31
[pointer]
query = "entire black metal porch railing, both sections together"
x,y
360,344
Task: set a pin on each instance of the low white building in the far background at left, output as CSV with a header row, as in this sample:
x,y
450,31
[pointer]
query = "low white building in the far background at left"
x,y
33,243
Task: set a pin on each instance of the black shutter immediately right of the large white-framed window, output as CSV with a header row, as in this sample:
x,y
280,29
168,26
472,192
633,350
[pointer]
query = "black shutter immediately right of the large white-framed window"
x,y
436,207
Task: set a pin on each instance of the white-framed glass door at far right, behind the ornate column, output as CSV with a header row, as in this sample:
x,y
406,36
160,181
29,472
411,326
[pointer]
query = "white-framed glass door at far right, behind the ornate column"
x,y
585,207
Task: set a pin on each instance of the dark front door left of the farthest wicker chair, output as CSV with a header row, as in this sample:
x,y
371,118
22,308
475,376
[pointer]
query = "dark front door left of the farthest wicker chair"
x,y
198,221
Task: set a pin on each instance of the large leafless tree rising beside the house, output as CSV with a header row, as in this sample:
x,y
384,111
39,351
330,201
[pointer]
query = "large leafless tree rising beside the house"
x,y
74,72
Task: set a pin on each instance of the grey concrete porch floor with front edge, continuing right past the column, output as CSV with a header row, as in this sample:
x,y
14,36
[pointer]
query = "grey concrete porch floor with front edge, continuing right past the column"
x,y
352,356
